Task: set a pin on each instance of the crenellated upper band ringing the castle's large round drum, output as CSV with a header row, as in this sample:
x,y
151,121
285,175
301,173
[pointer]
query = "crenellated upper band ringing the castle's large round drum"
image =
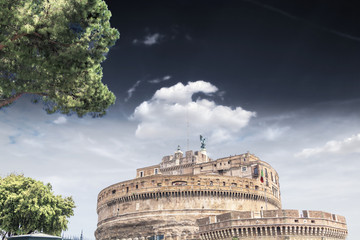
x,y
157,186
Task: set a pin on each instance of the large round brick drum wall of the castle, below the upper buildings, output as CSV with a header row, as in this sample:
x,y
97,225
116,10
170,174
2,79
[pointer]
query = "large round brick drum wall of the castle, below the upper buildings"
x,y
171,204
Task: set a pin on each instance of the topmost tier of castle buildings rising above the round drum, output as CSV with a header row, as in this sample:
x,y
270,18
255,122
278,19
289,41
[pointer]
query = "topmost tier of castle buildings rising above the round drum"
x,y
198,163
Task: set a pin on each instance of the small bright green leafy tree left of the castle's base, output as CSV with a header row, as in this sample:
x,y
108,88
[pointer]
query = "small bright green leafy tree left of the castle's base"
x,y
27,205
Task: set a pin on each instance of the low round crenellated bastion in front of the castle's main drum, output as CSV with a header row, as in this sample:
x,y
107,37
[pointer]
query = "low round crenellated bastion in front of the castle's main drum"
x,y
273,224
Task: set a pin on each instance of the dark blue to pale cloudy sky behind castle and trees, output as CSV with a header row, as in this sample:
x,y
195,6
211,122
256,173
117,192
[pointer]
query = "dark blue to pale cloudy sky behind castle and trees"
x,y
277,78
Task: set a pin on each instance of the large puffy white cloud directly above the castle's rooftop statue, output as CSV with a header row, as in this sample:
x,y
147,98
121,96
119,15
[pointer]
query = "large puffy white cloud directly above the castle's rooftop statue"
x,y
169,110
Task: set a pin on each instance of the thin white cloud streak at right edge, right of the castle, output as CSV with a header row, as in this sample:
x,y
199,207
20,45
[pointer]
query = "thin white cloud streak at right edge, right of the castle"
x,y
348,145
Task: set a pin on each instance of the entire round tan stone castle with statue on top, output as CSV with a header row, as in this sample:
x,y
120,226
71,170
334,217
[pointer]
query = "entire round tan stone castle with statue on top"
x,y
190,196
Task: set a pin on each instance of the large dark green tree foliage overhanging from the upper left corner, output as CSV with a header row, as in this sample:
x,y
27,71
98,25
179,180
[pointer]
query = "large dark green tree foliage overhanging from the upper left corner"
x,y
54,48
